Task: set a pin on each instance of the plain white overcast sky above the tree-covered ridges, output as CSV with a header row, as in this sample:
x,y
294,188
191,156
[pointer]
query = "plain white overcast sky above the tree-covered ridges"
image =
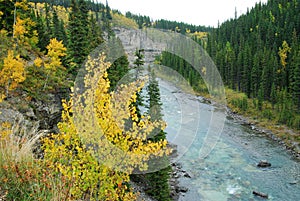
x,y
197,12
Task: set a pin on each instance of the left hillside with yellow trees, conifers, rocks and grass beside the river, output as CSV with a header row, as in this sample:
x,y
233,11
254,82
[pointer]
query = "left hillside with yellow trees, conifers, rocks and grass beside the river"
x,y
44,45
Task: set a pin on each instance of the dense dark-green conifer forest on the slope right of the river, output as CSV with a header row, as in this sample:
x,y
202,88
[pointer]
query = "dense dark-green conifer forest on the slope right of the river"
x,y
257,54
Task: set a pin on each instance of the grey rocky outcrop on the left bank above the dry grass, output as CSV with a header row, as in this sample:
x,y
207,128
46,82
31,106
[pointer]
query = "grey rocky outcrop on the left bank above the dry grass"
x,y
32,115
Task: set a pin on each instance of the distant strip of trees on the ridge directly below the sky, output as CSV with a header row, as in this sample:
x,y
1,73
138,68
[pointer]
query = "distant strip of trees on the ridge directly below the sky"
x,y
180,27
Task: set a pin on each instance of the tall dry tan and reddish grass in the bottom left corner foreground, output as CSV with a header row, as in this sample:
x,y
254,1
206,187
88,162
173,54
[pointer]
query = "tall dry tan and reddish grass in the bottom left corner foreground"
x,y
22,175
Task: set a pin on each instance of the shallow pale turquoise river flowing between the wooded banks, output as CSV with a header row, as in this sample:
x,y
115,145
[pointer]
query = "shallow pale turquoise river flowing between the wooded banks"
x,y
229,171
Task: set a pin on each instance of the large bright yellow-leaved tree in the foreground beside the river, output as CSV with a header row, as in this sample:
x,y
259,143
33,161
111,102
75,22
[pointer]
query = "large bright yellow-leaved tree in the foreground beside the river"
x,y
95,150
